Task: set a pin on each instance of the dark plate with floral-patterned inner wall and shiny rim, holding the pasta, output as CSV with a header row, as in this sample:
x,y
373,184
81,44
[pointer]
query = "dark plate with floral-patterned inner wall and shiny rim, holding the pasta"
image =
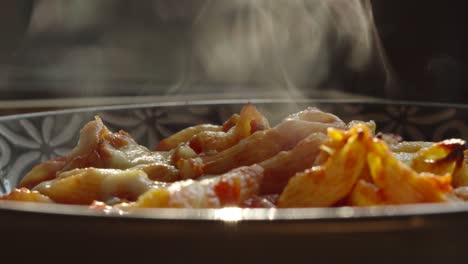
x,y
430,232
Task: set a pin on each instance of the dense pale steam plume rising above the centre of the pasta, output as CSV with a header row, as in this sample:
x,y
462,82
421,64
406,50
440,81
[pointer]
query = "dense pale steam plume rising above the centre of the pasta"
x,y
290,43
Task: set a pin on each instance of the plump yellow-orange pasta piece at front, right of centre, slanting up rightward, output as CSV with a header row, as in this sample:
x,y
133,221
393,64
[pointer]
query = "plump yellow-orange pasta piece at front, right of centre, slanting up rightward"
x,y
327,184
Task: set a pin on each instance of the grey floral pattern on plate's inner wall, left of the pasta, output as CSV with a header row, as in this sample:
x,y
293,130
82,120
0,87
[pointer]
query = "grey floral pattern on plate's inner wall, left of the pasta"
x,y
25,142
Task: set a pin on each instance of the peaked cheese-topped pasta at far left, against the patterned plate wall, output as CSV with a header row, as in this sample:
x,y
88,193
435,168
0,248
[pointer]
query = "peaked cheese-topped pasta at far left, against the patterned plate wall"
x,y
100,148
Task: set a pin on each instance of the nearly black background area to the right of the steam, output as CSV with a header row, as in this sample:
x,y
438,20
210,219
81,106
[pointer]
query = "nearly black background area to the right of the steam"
x,y
426,43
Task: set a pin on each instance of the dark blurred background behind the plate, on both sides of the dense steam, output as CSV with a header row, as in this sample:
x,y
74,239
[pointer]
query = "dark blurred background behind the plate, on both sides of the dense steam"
x,y
423,41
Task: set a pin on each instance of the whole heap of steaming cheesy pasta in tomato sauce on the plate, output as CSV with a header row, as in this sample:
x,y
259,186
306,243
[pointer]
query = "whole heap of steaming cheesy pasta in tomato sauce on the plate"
x,y
309,159
